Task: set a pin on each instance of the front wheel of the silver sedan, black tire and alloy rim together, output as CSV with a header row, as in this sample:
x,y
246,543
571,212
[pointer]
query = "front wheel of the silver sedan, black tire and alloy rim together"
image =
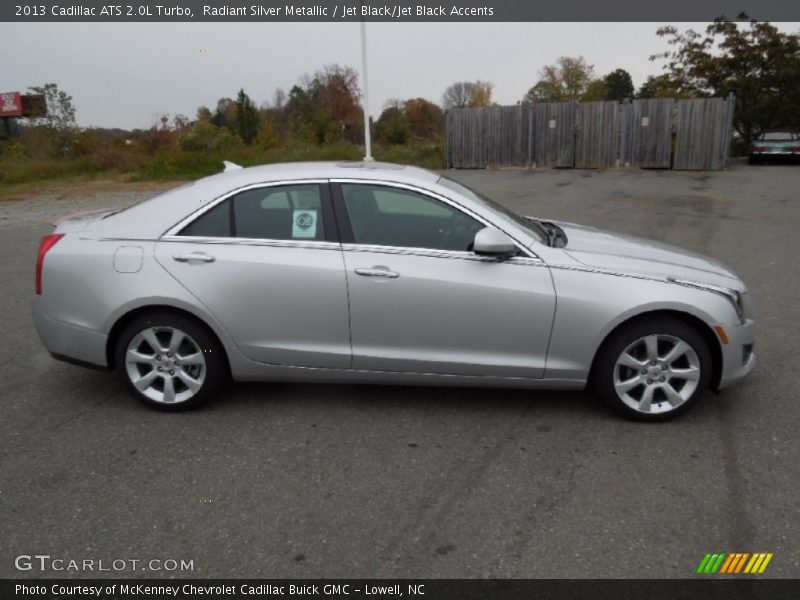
x,y
653,369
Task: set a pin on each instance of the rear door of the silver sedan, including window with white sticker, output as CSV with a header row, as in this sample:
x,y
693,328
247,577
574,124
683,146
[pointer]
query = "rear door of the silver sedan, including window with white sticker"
x,y
266,261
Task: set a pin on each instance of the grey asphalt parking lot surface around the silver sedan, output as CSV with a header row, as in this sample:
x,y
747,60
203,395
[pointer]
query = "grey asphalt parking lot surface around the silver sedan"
x,y
291,480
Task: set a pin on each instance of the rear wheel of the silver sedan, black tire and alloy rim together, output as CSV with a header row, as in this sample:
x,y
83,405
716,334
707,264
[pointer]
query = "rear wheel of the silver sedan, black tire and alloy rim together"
x,y
169,362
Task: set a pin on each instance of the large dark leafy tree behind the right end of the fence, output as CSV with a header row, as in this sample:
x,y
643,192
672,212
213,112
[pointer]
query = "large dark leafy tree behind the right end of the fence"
x,y
755,62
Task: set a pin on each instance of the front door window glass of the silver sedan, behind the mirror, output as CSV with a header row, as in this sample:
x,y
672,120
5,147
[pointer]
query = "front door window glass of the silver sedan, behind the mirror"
x,y
389,216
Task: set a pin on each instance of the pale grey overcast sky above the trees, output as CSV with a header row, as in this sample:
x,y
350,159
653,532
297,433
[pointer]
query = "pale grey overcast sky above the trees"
x,y
129,74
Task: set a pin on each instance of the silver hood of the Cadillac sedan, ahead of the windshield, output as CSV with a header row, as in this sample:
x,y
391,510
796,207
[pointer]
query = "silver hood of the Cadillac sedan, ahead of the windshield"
x,y
622,253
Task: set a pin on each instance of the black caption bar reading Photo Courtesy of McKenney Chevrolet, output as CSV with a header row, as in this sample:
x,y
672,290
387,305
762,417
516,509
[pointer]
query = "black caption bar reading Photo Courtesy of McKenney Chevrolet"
x,y
733,588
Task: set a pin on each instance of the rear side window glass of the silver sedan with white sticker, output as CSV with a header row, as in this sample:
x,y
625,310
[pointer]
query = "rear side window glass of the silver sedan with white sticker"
x,y
292,212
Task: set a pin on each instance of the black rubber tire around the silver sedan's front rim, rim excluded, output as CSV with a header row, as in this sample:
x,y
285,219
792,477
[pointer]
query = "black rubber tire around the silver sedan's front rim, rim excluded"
x,y
603,372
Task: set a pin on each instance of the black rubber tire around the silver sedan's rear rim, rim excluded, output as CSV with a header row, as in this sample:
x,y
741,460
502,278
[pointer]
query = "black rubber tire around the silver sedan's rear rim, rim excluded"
x,y
215,362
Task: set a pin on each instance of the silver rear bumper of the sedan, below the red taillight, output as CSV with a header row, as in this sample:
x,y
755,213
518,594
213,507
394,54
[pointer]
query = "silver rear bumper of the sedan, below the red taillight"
x,y
69,342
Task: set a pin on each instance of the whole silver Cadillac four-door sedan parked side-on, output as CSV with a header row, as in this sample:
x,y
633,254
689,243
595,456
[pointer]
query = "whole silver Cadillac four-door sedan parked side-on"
x,y
371,272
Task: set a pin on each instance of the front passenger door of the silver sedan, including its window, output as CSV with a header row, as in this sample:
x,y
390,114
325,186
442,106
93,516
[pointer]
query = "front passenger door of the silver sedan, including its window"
x,y
422,302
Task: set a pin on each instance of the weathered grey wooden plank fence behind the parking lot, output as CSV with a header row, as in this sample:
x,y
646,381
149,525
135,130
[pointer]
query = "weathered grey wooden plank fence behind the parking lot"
x,y
650,134
